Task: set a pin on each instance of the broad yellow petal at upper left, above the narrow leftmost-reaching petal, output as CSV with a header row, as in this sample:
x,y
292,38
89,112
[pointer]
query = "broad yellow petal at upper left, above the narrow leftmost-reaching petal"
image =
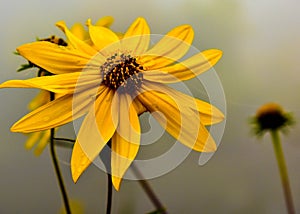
x,y
53,58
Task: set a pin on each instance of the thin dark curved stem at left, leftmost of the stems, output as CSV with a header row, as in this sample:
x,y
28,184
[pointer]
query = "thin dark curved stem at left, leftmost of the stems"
x,y
56,167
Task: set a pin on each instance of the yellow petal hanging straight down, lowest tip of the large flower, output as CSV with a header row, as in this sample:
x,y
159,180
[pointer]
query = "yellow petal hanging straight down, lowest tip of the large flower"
x,y
126,140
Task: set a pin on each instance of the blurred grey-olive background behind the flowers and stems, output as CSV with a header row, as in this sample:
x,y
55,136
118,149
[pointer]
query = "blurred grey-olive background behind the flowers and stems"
x,y
261,44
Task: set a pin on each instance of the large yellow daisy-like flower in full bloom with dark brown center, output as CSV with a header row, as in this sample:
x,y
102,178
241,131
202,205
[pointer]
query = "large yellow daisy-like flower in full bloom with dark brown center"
x,y
113,82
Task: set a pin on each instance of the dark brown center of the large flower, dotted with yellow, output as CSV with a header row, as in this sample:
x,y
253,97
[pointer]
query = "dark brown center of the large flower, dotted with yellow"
x,y
121,72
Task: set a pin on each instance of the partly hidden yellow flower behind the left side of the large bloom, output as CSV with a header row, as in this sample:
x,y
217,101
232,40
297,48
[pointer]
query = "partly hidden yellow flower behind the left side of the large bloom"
x,y
41,138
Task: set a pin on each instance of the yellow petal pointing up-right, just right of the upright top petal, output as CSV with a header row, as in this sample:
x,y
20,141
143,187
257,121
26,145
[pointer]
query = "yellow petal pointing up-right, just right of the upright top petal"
x,y
170,48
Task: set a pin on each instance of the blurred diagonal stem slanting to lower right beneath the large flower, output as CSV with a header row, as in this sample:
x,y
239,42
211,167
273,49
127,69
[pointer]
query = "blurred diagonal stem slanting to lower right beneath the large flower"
x,y
148,190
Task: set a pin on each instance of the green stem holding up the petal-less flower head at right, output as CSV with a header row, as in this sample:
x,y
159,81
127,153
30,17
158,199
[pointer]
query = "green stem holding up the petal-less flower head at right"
x,y
283,171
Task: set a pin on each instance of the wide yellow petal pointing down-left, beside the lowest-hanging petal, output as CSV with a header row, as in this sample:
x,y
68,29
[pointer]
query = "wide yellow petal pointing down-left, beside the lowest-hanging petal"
x,y
96,129
